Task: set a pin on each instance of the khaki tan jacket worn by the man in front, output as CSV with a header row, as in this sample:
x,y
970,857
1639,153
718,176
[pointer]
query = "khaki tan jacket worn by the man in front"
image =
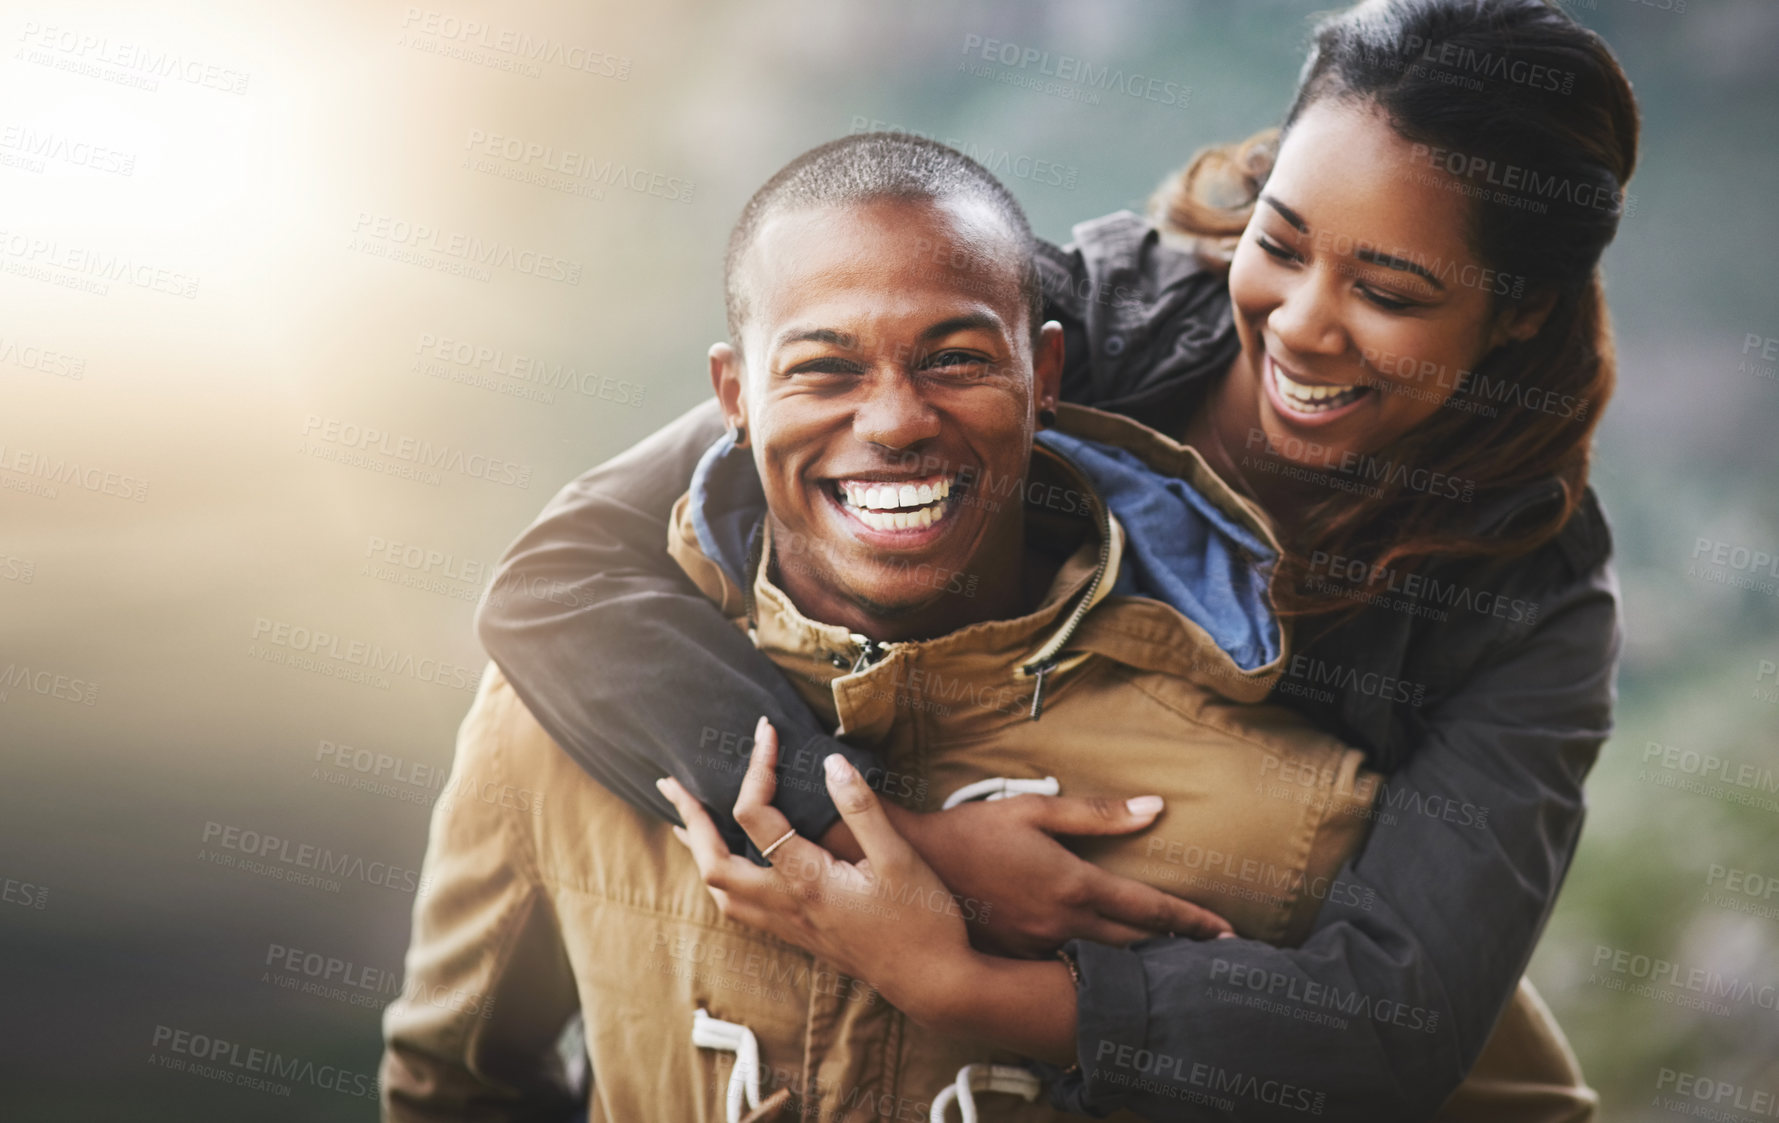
x,y
597,907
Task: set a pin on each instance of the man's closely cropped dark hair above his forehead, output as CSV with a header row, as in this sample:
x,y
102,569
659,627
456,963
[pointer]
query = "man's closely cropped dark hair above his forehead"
x,y
871,168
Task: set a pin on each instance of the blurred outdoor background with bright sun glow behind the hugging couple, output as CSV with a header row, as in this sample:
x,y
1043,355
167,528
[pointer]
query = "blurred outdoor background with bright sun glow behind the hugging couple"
x,y
289,202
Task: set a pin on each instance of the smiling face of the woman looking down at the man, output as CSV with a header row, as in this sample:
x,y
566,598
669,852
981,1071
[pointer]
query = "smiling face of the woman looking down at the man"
x,y
1358,300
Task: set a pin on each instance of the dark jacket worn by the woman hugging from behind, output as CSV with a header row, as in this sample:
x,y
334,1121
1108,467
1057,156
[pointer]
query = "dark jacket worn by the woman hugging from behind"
x,y
1483,691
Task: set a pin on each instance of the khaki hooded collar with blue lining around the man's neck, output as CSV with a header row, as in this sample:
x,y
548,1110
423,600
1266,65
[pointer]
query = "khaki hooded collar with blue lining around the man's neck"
x,y
1139,517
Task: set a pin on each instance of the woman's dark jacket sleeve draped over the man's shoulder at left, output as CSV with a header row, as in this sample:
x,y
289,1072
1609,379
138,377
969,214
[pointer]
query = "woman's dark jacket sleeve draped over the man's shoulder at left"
x,y
631,668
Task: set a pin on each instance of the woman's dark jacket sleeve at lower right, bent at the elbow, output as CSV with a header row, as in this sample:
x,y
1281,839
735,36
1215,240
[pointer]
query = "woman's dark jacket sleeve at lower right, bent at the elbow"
x,y
1419,948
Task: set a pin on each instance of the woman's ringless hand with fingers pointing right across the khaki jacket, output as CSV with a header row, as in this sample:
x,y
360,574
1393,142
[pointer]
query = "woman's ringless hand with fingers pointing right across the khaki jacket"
x,y
1024,893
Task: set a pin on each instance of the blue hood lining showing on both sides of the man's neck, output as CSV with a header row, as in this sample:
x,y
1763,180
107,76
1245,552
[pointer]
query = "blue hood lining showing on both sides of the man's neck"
x,y
1180,549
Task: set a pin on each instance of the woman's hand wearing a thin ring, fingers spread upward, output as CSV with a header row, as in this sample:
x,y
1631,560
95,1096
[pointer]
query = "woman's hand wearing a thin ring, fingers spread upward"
x,y
887,919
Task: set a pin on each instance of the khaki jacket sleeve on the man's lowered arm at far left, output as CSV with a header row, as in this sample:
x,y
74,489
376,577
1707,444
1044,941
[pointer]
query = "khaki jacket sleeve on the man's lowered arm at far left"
x,y
488,987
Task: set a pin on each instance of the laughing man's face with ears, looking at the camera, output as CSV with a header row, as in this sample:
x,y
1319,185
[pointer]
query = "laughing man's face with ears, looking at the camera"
x,y
889,398
